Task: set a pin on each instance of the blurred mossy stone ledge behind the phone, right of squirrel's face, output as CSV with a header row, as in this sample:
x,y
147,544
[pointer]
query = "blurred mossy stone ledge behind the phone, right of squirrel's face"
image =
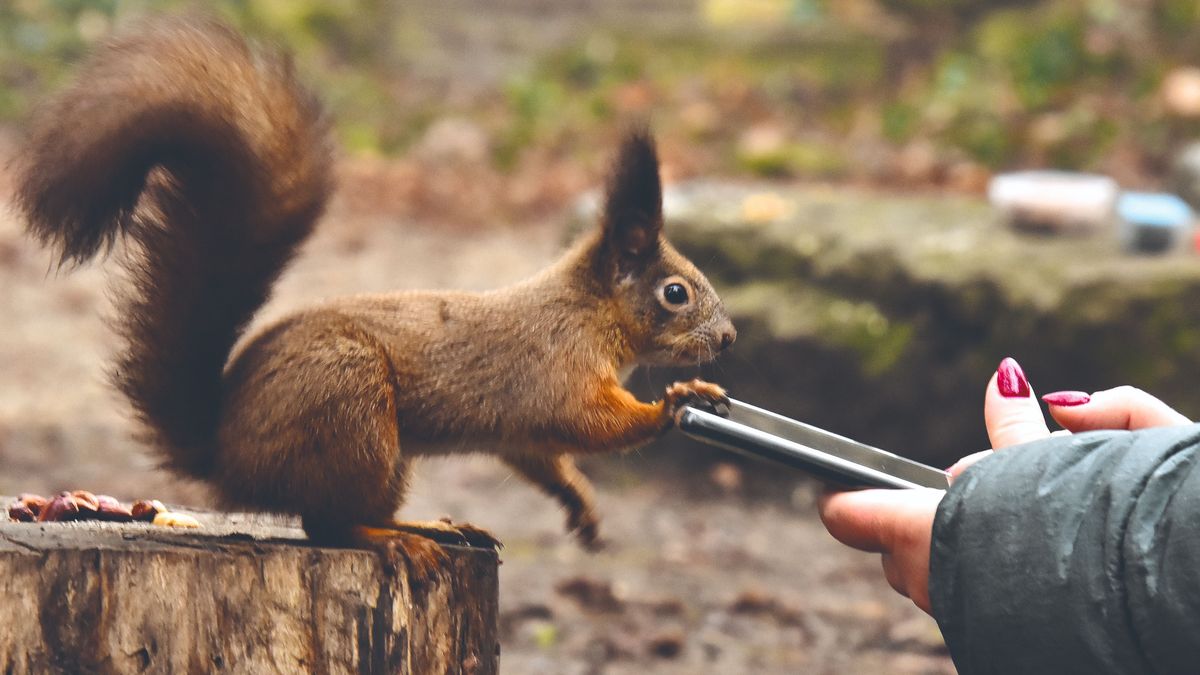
x,y
883,316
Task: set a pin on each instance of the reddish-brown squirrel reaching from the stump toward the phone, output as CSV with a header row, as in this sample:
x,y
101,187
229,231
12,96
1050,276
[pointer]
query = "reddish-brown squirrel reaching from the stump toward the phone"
x,y
217,164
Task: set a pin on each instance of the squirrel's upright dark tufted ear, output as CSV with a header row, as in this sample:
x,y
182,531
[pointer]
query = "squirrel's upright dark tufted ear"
x,y
633,212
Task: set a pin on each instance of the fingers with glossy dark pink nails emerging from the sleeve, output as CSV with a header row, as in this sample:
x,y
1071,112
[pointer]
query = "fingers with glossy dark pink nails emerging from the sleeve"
x,y
898,524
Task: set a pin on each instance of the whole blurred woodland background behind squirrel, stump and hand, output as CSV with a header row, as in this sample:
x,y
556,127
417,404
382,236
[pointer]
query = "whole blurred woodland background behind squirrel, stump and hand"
x,y
829,168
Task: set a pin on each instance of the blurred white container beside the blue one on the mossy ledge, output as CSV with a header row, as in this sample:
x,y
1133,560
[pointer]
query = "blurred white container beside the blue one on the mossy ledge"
x,y
1055,201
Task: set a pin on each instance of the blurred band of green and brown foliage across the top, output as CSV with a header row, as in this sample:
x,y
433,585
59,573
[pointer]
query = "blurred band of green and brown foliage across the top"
x,y
1004,85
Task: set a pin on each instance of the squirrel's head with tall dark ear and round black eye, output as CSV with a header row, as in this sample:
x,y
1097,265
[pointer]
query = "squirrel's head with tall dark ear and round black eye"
x,y
668,310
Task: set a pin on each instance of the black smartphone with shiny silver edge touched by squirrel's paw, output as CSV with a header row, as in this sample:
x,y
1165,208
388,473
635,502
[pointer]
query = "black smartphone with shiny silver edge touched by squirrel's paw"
x,y
763,434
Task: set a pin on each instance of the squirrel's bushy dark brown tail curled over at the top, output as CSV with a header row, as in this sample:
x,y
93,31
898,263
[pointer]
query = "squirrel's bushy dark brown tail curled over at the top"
x,y
217,164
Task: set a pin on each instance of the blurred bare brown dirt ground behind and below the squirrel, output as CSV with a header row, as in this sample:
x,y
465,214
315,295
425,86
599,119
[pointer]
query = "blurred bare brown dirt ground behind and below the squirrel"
x,y
704,572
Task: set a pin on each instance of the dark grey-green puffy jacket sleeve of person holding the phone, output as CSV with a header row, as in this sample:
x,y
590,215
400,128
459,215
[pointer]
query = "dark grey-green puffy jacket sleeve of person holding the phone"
x,y
1077,554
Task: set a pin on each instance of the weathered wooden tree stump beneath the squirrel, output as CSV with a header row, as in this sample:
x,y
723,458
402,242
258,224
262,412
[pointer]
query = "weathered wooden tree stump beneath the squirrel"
x,y
245,594
